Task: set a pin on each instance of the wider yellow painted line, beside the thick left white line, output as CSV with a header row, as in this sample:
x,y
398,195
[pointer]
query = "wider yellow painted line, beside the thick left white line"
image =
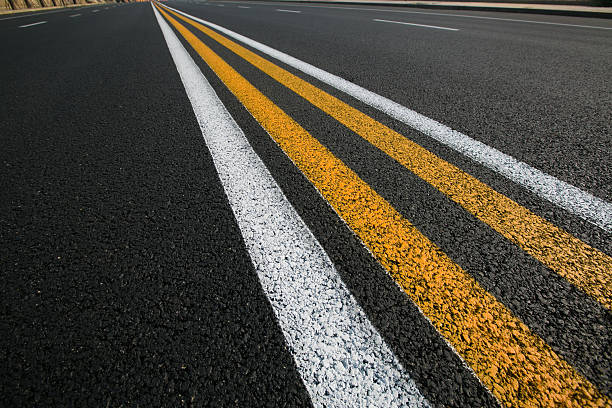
x,y
518,367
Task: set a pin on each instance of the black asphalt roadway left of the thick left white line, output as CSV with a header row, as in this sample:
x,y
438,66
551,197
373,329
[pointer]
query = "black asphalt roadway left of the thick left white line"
x,y
125,278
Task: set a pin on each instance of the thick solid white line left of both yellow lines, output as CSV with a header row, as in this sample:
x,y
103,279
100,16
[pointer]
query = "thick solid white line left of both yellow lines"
x,y
342,359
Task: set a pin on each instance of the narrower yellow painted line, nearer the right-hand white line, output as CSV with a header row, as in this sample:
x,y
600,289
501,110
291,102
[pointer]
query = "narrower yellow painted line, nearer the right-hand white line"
x,y
584,266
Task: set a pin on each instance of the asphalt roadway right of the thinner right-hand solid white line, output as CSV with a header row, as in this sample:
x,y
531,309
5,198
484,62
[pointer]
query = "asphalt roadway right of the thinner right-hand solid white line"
x,y
474,71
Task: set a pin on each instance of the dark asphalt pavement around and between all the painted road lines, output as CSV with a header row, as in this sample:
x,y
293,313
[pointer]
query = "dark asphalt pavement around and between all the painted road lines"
x,y
125,278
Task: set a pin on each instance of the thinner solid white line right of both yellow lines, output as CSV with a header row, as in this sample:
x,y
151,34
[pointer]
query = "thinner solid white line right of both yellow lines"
x,y
570,198
